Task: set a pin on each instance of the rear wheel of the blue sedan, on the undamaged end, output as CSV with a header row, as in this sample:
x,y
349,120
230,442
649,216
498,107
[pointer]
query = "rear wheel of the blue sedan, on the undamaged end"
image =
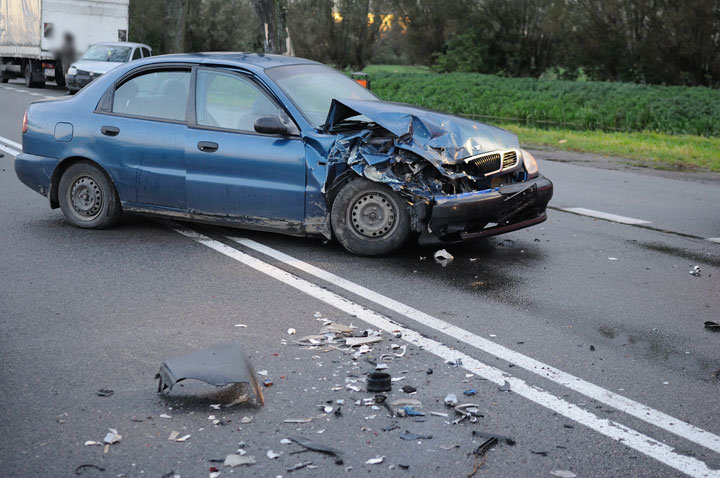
x,y
87,197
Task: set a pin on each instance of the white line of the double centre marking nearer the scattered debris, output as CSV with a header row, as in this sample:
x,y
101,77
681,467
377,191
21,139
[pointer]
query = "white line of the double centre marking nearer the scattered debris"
x,y
614,430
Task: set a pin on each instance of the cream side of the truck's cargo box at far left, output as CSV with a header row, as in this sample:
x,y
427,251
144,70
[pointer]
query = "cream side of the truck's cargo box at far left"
x,y
20,23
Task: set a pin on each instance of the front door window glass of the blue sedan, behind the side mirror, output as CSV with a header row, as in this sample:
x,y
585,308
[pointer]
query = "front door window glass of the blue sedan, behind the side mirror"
x,y
226,100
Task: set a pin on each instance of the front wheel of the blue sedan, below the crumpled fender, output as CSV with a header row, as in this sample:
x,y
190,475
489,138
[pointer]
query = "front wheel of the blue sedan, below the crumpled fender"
x,y
370,219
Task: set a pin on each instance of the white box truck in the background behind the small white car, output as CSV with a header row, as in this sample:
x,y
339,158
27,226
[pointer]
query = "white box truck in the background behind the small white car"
x,y
37,35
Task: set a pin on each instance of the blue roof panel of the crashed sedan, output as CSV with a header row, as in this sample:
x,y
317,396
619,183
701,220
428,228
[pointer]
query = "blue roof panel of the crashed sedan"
x,y
253,60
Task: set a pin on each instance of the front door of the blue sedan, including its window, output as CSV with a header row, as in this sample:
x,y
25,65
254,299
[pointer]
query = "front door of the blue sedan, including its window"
x,y
233,171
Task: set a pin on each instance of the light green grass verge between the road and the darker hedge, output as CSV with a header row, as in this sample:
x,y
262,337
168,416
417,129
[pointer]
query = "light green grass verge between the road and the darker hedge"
x,y
657,150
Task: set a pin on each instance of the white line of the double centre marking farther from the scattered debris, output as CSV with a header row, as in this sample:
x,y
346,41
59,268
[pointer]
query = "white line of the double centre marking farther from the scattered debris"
x,y
624,404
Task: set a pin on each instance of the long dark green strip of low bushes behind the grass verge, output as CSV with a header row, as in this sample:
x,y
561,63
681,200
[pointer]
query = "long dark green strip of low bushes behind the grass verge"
x,y
588,105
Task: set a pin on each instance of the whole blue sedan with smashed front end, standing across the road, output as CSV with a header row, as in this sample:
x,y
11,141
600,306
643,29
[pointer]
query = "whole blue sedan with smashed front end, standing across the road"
x,y
275,143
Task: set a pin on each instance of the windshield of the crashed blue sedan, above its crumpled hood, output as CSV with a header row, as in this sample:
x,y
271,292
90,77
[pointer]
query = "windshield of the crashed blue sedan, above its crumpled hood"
x,y
313,87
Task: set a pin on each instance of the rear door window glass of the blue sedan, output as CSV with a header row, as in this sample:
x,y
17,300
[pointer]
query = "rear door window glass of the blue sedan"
x,y
158,94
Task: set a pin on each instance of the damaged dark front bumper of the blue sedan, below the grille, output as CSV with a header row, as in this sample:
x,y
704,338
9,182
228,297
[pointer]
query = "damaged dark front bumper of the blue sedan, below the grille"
x,y
487,213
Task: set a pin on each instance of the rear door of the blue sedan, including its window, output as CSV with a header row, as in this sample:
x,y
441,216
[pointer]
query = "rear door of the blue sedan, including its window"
x,y
143,136
